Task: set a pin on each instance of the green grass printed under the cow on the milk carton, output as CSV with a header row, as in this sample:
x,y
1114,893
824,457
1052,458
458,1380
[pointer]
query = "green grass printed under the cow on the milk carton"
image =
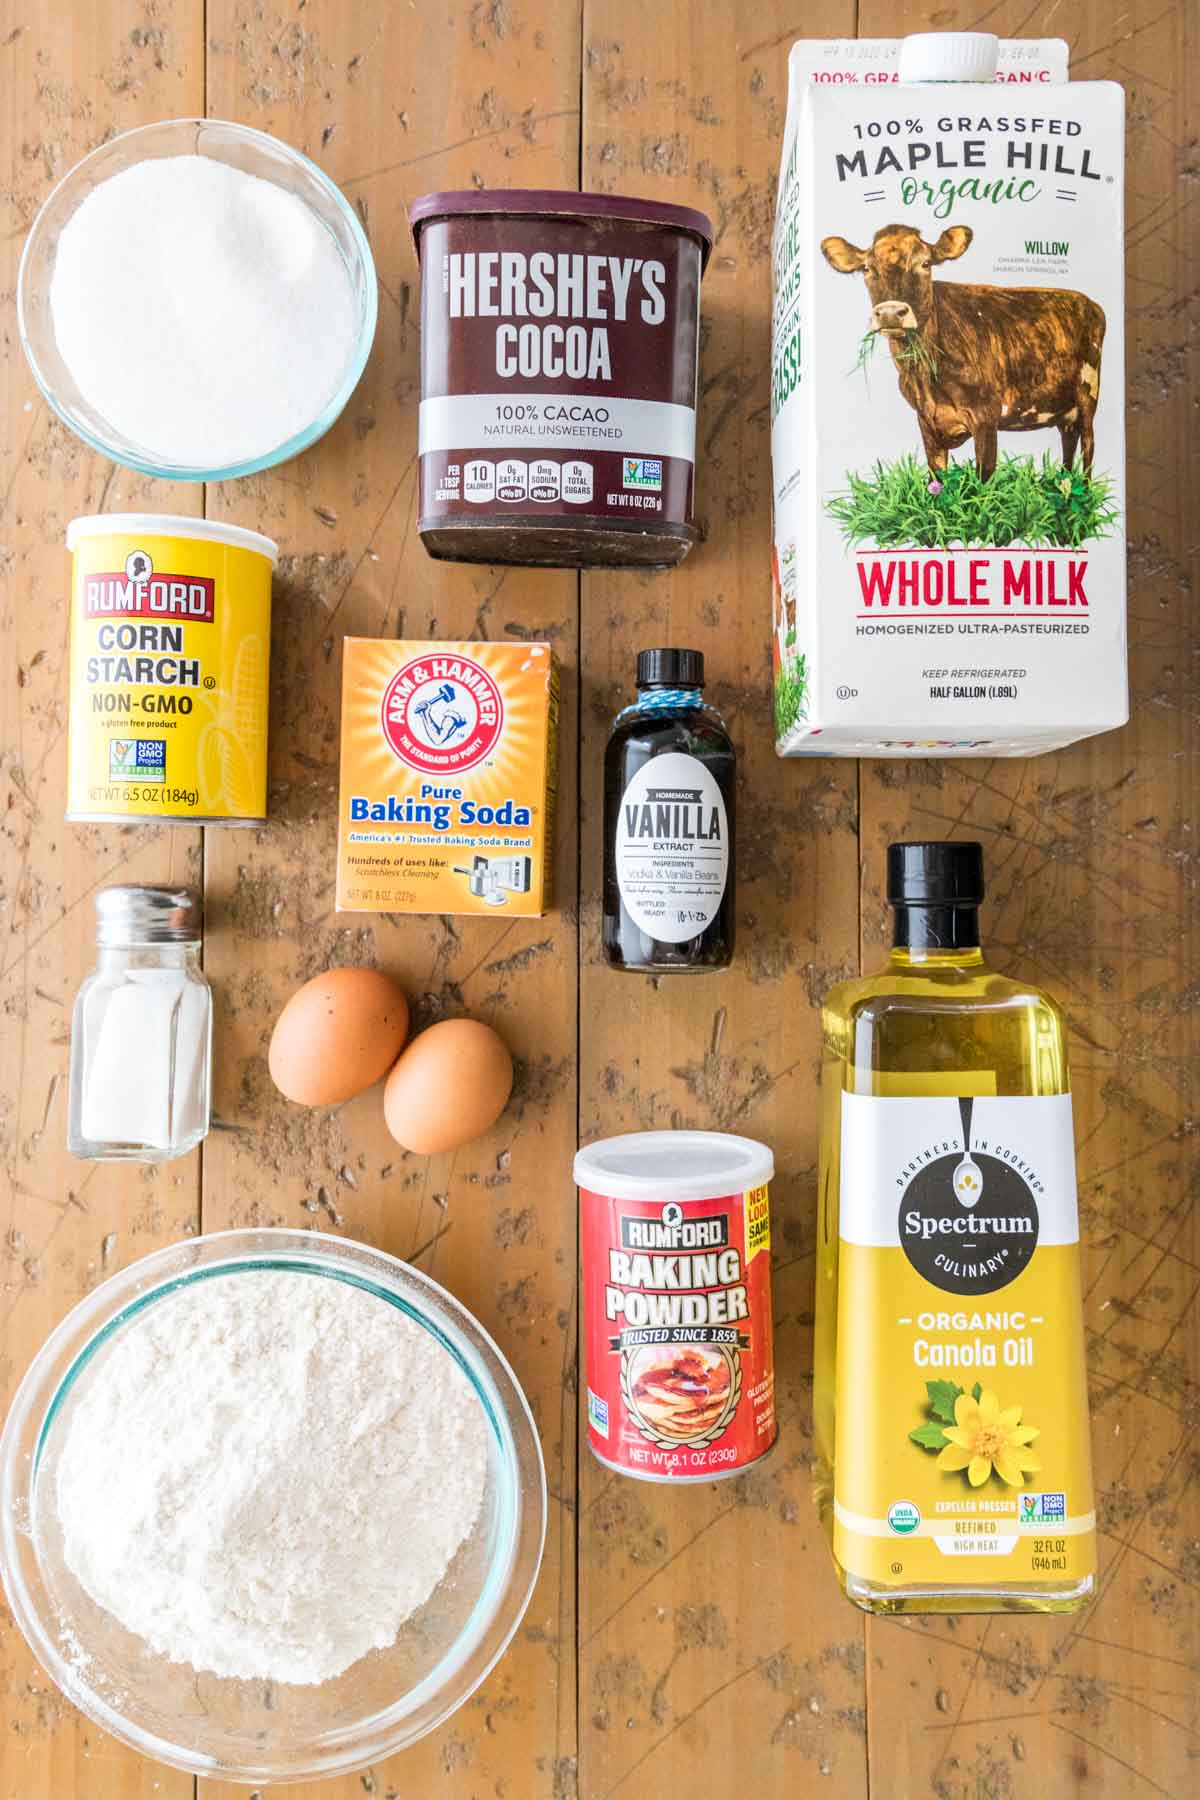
x,y
1025,503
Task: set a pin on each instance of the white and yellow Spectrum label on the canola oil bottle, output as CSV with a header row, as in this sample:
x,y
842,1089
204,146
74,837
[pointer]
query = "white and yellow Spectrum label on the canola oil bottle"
x,y
962,1398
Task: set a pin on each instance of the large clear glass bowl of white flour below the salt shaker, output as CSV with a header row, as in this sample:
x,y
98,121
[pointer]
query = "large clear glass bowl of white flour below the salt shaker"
x,y
273,1506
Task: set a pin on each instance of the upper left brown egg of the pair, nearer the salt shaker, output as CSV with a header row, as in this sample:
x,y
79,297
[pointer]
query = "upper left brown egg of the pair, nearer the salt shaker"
x,y
339,1034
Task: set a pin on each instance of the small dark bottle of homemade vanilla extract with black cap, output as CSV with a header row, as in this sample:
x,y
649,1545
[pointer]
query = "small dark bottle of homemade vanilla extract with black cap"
x,y
670,825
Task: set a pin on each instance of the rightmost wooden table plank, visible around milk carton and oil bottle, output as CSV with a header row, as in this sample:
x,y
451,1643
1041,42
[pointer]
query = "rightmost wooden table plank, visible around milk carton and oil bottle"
x,y
1093,868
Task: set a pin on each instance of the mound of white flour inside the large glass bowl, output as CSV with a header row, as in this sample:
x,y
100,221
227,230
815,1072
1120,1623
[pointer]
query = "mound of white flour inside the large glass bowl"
x,y
269,1473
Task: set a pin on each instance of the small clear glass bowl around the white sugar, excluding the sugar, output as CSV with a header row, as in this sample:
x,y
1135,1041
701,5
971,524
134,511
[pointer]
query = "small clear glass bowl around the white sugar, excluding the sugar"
x,y
244,148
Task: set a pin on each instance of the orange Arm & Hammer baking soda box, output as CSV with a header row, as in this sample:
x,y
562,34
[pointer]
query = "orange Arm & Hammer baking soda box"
x,y
449,778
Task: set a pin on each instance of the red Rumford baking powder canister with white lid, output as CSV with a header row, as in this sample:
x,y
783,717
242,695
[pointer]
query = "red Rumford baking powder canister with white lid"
x,y
676,1245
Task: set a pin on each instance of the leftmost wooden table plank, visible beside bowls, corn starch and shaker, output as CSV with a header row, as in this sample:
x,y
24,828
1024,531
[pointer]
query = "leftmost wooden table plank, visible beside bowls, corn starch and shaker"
x,y
67,82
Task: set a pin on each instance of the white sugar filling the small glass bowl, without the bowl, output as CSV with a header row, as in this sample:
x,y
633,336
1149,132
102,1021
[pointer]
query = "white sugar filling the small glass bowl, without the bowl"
x,y
206,314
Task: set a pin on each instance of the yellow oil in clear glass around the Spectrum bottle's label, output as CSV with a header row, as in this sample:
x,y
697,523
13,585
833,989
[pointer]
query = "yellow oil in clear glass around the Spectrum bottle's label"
x,y
920,1027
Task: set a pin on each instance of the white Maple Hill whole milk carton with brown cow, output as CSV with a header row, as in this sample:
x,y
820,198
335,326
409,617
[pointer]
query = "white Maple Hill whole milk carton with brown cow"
x,y
947,402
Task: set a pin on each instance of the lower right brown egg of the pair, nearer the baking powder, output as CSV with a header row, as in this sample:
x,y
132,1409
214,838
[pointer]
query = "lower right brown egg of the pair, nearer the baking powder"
x,y
451,1084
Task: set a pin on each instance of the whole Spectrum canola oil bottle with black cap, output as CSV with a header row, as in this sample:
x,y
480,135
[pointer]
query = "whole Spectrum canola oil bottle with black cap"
x,y
951,1394
